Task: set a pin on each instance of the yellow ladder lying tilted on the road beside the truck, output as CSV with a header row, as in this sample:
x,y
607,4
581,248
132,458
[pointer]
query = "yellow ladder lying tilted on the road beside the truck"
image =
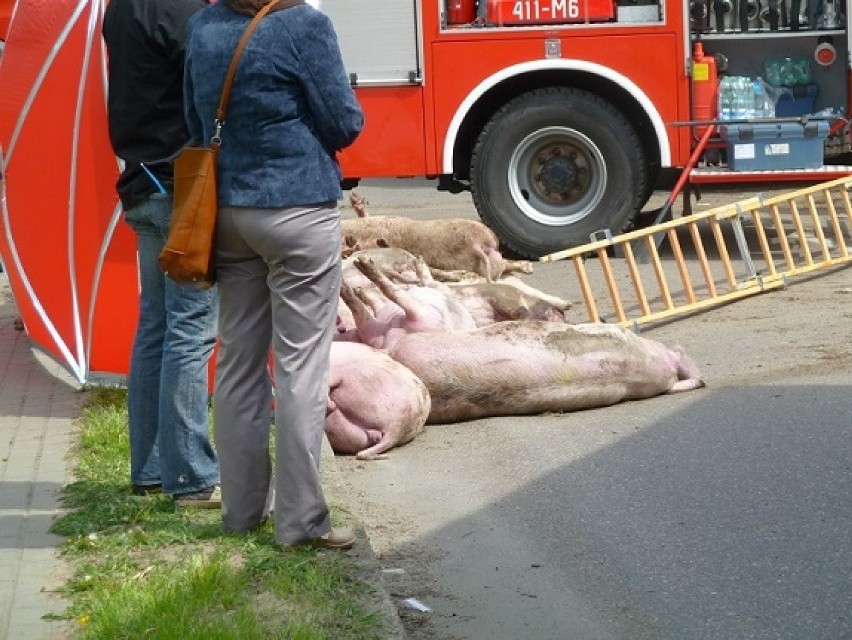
x,y
713,257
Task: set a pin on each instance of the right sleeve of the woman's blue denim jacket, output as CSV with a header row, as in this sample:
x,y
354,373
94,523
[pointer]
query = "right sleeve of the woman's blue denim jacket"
x,y
335,109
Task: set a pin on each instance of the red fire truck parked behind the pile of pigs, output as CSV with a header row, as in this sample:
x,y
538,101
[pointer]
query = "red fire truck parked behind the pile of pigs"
x,y
560,116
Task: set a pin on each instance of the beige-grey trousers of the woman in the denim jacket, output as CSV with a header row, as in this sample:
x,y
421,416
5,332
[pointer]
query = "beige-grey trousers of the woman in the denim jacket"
x,y
278,274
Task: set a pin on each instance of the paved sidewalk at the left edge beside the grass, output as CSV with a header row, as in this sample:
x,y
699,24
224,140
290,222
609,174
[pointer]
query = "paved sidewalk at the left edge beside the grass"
x,y
39,402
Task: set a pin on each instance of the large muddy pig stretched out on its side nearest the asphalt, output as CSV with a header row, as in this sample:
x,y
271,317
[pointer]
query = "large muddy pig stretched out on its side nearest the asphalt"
x,y
527,367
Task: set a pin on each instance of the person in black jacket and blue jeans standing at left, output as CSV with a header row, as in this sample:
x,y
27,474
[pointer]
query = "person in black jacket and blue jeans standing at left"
x,y
170,448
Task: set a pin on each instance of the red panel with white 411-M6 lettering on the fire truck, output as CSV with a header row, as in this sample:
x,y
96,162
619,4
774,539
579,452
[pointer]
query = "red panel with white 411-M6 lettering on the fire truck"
x,y
549,11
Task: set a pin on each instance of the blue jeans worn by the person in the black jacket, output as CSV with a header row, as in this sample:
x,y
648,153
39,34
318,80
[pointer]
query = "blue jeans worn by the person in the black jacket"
x,y
167,389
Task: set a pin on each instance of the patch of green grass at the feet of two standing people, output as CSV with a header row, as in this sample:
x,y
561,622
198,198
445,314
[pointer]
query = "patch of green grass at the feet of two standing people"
x,y
142,569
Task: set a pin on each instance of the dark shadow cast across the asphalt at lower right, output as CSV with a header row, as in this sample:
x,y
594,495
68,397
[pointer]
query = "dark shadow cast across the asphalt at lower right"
x,y
729,519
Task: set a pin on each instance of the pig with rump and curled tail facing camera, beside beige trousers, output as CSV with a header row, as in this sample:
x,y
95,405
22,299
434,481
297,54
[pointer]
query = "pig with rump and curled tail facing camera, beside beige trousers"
x,y
374,403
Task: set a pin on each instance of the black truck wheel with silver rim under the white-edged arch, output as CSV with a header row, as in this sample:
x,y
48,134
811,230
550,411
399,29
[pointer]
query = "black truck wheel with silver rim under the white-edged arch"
x,y
553,166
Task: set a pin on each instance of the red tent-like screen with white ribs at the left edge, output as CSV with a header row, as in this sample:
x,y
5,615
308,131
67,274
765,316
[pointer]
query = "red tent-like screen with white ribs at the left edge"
x,y
70,259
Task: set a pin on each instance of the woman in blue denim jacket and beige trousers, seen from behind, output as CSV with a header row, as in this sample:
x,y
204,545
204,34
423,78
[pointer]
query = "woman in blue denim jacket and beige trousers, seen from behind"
x,y
278,252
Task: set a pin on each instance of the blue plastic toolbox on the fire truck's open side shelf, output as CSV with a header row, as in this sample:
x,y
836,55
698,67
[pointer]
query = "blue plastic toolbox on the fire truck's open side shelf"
x,y
782,145
